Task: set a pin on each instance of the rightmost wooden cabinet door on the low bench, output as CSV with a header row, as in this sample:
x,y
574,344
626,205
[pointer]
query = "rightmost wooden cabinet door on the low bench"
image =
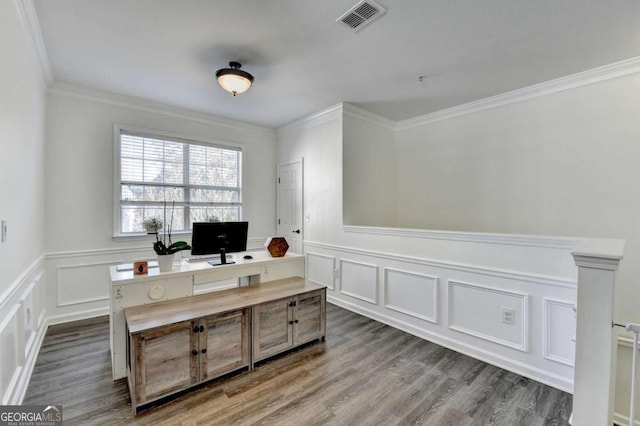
x,y
309,317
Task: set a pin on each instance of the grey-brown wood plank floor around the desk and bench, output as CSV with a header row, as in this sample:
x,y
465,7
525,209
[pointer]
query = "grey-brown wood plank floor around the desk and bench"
x,y
366,373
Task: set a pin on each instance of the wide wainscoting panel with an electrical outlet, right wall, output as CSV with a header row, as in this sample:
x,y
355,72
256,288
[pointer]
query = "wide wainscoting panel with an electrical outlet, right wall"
x,y
478,311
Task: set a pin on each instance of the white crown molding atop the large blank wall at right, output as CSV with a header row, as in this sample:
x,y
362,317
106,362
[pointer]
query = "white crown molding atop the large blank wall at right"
x,y
584,78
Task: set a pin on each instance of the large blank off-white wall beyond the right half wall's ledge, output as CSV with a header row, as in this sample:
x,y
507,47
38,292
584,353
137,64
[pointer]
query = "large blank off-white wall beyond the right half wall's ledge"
x,y
561,164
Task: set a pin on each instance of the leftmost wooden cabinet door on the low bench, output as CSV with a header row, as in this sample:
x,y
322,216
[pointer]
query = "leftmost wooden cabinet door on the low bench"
x,y
165,360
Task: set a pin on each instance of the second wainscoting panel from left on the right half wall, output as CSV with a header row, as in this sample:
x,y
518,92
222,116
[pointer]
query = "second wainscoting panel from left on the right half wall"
x,y
359,280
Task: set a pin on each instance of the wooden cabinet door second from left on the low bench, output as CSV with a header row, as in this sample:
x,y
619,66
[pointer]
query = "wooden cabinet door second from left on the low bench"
x,y
224,343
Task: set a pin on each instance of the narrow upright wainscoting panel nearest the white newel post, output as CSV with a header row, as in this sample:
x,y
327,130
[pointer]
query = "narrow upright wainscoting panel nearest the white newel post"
x,y
559,331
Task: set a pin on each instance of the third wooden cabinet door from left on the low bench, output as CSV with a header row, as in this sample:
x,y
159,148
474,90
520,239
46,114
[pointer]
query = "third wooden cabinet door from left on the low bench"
x,y
272,331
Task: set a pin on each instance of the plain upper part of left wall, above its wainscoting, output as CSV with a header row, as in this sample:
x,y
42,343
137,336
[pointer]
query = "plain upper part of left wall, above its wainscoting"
x,y
22,94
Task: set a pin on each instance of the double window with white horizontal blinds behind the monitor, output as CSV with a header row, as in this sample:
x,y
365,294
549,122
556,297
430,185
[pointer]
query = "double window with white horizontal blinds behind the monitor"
x,y
192,181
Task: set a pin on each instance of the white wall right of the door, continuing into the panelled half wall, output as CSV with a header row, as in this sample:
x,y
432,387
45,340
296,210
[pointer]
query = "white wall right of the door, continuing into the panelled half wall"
x,y
447,287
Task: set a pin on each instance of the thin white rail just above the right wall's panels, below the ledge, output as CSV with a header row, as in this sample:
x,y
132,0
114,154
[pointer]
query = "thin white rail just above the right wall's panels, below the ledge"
x,y
493,272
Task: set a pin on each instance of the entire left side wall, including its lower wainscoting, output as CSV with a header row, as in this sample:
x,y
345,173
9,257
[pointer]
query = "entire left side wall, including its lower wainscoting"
x,y
22,147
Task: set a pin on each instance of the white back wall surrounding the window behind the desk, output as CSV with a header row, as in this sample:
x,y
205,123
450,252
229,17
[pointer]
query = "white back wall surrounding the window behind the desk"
x,y
79,175
